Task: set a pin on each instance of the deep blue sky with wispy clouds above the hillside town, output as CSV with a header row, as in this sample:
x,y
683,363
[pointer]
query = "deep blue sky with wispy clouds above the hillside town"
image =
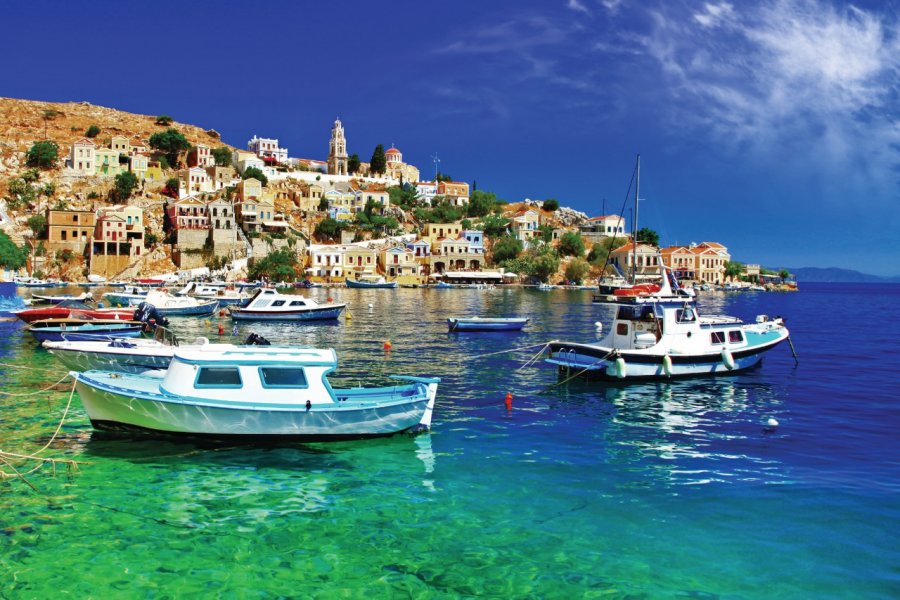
x,y
769,126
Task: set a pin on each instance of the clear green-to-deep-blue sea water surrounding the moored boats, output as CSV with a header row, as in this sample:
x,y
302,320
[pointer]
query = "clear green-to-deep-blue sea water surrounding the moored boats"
x,y
582,490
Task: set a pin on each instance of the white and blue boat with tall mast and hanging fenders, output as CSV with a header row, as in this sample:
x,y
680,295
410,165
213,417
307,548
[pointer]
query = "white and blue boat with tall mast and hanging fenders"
x,y
661,335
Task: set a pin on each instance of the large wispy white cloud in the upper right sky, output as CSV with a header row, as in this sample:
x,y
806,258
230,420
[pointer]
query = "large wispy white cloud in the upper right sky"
x,y
784,73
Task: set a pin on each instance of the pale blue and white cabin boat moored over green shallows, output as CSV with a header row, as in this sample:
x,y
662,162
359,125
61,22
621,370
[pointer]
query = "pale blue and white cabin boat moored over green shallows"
x,y
251,392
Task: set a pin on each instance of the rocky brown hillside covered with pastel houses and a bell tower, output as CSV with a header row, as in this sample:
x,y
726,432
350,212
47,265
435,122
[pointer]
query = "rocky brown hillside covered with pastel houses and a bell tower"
x,y
127,195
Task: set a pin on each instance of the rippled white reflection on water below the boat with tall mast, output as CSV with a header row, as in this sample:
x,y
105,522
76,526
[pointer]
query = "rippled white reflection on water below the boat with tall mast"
x,y
685,432
